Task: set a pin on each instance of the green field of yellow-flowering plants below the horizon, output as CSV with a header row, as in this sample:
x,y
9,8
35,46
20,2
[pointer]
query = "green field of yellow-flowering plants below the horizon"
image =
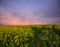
x,y
30,36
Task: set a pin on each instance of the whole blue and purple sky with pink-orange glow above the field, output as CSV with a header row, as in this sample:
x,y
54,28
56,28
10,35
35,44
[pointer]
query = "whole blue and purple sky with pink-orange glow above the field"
x,y
21,12
